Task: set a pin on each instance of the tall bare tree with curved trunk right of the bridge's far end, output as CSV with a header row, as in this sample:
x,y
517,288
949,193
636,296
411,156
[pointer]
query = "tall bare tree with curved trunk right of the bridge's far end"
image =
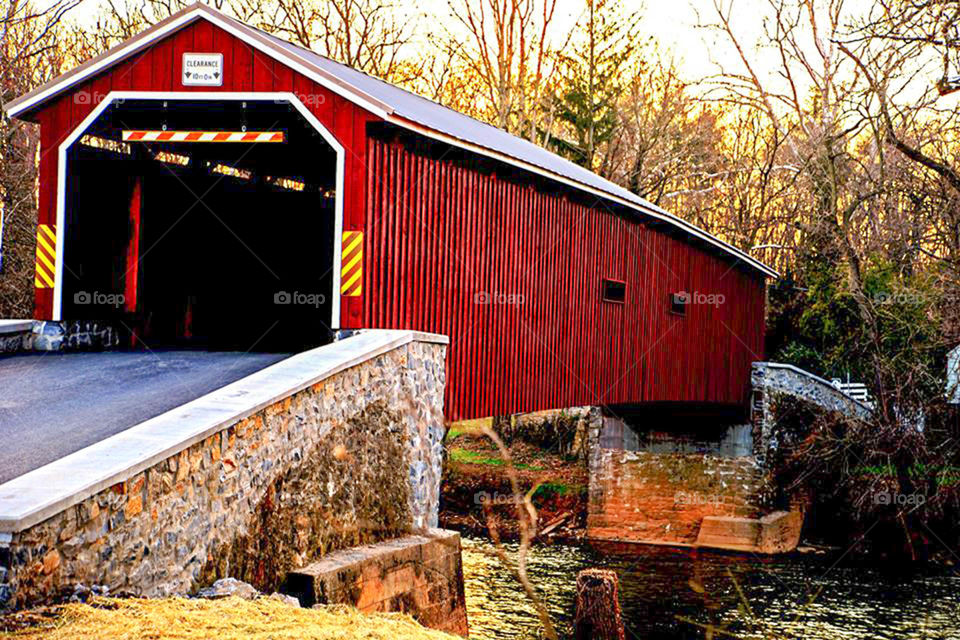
x,y
823,133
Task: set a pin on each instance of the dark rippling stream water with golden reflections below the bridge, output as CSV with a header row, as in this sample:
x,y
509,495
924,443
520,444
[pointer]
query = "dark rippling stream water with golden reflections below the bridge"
x,y
665,593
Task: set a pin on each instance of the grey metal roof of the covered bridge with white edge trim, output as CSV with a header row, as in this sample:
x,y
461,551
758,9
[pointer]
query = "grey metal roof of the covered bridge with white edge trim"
x,y
395,105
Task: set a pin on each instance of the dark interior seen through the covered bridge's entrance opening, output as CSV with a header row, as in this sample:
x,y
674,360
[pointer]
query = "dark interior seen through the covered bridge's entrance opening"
x,y
225,246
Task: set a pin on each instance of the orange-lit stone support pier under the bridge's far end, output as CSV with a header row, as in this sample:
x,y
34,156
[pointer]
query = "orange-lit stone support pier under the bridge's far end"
x,y
659,485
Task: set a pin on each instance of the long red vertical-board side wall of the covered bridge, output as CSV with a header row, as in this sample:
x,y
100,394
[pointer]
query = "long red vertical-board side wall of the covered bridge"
x,y
442,233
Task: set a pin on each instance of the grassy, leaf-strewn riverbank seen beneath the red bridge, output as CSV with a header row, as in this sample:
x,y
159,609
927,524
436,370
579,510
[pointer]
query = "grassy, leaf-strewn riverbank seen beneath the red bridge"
x,y
476,483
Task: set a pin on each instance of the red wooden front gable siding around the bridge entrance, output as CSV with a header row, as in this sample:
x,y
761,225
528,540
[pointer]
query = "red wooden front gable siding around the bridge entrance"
x,y
245,70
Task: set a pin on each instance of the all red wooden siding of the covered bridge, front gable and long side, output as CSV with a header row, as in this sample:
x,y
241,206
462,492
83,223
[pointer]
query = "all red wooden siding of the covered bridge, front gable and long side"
x,y
507,264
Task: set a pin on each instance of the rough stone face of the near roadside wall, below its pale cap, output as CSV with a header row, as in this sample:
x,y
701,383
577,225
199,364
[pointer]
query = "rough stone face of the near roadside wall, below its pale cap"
x,y
352,459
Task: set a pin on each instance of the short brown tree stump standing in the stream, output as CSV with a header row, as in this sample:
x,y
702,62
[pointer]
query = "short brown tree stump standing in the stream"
x,y
598,606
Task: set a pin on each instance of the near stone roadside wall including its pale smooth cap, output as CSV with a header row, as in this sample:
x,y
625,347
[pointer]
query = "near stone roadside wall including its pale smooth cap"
x,y
329,449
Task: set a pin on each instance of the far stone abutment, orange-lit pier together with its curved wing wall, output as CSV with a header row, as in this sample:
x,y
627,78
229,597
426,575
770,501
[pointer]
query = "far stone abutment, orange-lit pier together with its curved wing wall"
x,y
667,488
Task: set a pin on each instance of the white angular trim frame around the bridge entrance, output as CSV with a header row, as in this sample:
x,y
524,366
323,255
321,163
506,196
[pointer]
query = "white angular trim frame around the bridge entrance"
x,y
268,96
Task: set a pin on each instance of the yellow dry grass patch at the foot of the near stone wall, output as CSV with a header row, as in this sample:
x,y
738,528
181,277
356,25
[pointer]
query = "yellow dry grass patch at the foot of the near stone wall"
x,y
227,619
